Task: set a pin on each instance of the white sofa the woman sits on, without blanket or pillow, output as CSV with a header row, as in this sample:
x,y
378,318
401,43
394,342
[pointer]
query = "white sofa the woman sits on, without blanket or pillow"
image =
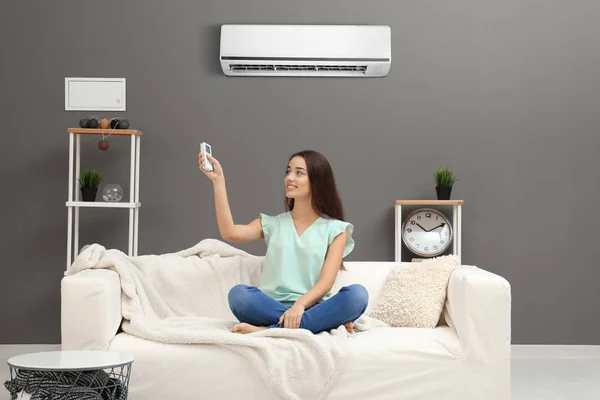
x,y
467,357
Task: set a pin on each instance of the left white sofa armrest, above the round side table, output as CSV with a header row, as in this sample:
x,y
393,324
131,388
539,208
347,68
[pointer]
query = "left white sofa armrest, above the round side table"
x,y
90,309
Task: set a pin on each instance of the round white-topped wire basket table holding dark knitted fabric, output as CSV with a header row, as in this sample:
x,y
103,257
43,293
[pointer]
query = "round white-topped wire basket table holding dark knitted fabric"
x,y
70,375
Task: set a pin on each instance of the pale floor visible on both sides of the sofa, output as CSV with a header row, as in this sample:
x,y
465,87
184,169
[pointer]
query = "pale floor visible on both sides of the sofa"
x,y
538,372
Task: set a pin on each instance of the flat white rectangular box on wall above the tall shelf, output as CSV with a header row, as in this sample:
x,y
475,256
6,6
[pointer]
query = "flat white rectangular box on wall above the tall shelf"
x,y
95,94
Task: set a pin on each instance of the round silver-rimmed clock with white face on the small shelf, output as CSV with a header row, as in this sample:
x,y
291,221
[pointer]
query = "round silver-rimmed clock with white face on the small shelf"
x,y
427,232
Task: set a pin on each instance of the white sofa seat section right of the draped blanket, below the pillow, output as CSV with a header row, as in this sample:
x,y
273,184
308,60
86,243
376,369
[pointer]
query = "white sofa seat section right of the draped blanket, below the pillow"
x,y
425,363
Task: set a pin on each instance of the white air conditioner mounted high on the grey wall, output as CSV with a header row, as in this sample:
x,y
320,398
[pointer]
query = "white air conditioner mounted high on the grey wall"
x,y
305,50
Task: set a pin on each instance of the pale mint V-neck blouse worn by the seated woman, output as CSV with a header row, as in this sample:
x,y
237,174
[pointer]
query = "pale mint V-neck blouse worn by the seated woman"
x,y
293,263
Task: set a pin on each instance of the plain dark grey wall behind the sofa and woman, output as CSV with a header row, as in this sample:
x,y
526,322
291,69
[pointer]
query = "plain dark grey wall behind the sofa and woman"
x,y
504,92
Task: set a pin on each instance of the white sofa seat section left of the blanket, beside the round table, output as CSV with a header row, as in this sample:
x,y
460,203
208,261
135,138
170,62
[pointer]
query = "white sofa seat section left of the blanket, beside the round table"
x,y
188,371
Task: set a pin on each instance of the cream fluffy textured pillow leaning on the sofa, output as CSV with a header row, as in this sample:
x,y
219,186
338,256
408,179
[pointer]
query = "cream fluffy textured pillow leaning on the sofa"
x,y
413,296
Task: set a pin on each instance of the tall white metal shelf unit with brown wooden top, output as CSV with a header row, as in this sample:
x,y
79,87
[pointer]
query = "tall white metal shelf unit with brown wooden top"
x,y
74,202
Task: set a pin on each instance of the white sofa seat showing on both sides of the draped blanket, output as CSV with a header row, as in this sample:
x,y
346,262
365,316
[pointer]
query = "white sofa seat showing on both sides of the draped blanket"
x,y
421,361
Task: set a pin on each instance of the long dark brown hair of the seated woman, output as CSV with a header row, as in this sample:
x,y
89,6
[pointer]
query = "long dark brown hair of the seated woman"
x,y
325,197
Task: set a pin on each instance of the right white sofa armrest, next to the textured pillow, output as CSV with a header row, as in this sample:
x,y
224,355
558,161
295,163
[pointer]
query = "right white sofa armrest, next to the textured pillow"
x,y
478,308
